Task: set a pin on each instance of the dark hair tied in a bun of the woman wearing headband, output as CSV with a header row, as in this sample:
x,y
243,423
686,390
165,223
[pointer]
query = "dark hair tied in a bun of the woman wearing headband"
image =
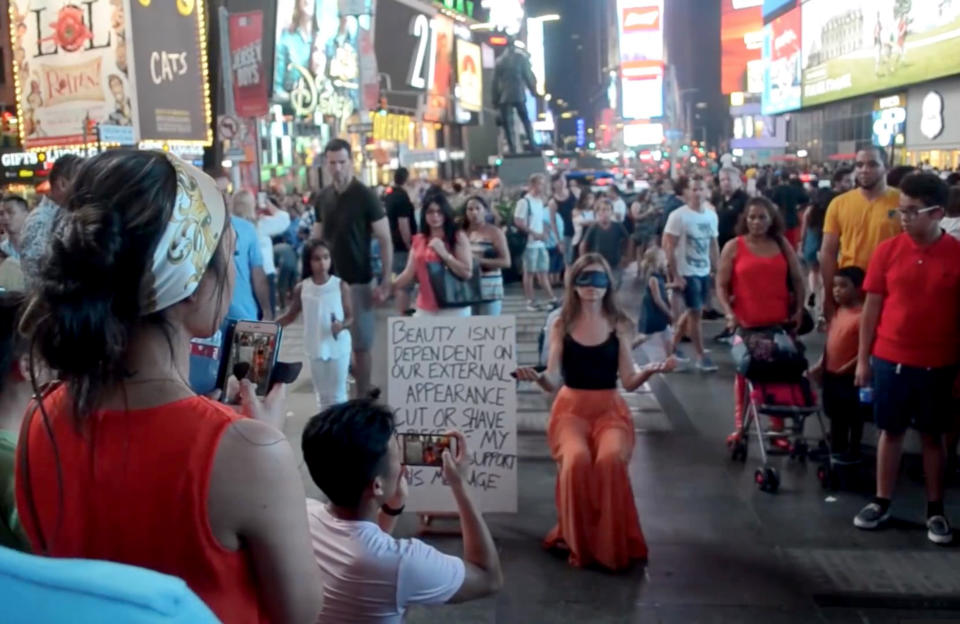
x,y
89,293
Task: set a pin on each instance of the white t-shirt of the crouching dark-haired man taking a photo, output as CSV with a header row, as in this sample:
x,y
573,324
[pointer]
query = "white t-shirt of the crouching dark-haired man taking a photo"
x,y
370,576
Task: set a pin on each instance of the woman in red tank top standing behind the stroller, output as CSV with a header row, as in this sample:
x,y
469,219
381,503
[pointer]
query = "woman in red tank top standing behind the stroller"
x,y
752,280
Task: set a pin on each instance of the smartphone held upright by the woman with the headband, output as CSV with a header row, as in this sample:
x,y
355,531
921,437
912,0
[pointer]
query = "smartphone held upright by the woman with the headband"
x,y
250,352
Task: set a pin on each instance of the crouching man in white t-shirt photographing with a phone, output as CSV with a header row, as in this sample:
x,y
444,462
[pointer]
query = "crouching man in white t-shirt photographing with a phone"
x,y
355,457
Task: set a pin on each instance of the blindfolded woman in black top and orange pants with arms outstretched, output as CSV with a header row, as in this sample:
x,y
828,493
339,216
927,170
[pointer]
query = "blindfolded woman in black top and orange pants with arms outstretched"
x,y
591,431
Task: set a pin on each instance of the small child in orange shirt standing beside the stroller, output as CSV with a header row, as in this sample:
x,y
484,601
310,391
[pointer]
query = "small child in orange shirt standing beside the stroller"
x,y
834,372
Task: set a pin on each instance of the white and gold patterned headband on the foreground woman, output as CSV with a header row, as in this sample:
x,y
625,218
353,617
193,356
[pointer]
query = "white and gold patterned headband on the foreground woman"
x,y
189,241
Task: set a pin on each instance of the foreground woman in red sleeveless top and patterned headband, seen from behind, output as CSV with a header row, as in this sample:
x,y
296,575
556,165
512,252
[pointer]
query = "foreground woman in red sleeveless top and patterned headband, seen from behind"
x,y
122,461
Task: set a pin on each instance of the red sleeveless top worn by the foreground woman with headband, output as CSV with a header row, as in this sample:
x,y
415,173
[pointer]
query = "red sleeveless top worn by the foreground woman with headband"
x,y
134,490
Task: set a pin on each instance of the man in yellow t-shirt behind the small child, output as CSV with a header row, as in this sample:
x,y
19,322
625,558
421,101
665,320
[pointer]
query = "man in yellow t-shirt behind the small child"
x,y
859,220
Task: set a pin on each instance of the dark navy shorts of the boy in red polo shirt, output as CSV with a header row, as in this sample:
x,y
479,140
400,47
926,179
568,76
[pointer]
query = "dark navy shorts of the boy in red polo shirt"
x,y
907,396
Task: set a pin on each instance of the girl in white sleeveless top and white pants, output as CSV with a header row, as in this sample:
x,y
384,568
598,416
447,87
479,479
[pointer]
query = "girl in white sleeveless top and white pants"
x,y
327,310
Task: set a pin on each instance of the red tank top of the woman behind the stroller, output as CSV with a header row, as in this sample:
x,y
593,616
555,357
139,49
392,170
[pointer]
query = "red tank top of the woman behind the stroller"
x,y
759,285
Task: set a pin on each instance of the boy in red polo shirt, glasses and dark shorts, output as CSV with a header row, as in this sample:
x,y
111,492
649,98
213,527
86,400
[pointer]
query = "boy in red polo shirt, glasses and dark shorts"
x,y
911,326
